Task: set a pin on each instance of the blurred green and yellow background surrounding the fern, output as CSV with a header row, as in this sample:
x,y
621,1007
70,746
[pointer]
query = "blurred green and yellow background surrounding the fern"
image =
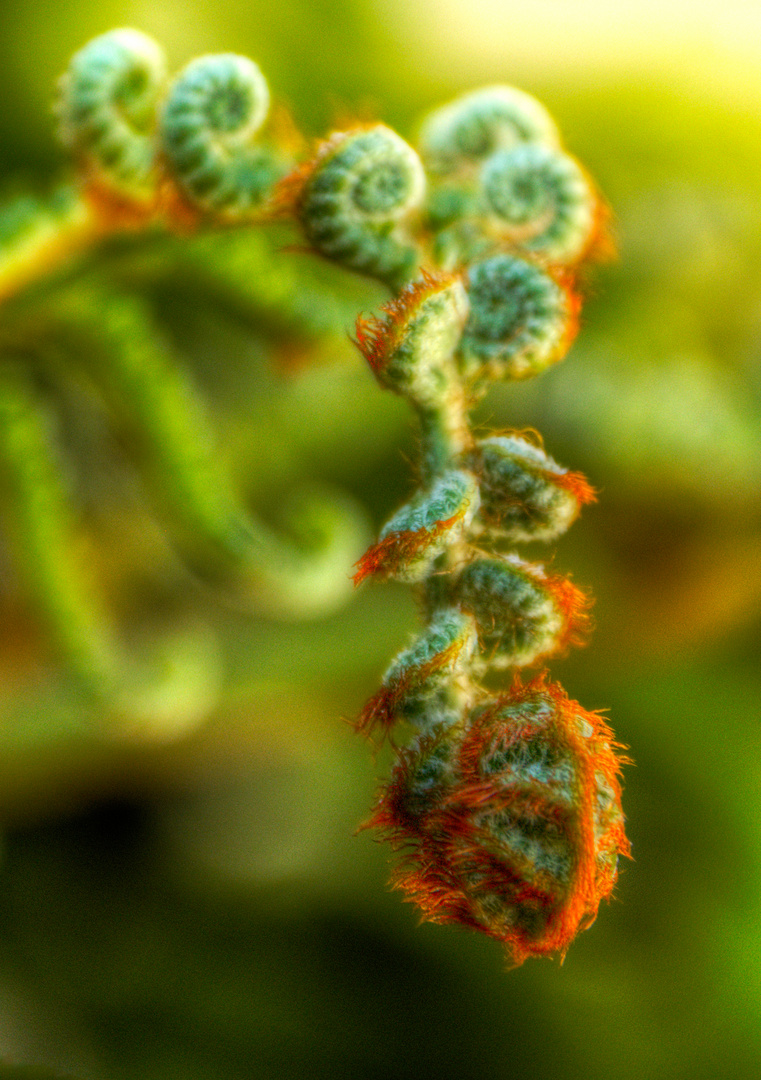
x,y
195,904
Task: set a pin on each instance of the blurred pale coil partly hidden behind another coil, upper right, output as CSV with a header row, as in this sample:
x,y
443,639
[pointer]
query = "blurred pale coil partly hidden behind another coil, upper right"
x,y
472,128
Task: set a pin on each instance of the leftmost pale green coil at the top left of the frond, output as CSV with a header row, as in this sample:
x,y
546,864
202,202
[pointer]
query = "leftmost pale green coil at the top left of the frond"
x,y
107,109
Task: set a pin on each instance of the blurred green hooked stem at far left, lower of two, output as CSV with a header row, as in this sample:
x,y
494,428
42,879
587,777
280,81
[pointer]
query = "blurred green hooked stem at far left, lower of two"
x,y
178,684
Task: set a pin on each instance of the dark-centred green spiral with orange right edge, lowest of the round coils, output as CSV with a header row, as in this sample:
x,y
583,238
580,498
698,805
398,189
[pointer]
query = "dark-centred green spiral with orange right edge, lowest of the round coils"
x,y
521,321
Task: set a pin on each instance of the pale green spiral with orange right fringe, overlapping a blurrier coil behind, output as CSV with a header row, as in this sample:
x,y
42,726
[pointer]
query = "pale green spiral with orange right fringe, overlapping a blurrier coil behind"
x,y
541,200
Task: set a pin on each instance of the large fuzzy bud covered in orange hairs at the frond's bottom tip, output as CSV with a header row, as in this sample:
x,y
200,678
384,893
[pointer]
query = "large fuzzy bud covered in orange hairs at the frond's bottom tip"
x,y
513,823
